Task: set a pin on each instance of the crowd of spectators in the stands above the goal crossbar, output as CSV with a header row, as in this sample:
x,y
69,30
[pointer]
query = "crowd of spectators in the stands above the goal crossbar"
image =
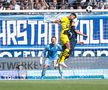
x,y
51,4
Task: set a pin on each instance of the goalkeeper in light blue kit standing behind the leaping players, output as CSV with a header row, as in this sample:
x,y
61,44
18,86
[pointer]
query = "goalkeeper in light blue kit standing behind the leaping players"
x,y
51,54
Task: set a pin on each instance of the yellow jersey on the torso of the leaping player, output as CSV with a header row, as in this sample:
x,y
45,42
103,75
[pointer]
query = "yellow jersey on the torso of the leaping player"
x,y
65,24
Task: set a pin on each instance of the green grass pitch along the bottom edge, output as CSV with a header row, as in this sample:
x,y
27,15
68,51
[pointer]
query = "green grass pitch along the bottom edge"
x,y
100,84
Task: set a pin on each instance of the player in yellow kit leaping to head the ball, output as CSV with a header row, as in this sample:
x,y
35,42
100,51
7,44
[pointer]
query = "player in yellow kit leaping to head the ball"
x,y
65,26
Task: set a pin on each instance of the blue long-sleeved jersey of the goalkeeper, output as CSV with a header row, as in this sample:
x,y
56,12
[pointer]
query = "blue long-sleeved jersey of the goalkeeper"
x,y
51,51
